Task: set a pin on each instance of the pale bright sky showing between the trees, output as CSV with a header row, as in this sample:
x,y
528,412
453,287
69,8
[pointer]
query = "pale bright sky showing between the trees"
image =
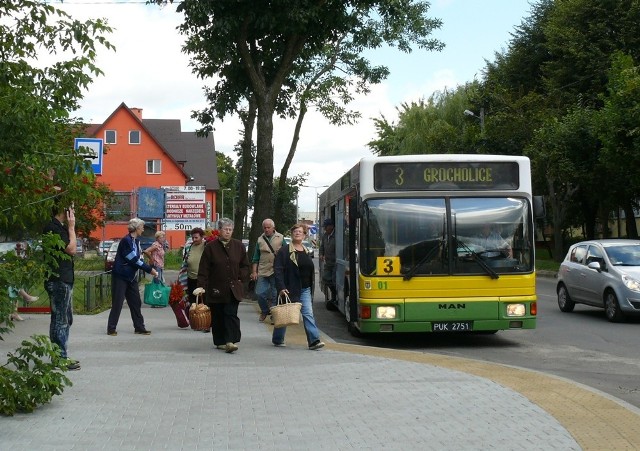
x,y
149,71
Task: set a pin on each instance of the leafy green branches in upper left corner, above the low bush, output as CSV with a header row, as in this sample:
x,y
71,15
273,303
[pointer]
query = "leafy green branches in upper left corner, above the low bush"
x,y
37,166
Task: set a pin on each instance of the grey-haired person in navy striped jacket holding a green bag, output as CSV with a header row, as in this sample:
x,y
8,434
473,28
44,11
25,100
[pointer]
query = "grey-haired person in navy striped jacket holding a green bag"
x,y
124,279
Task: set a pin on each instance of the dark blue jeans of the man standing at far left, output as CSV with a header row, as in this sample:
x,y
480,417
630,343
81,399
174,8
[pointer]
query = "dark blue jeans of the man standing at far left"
x,y
61,300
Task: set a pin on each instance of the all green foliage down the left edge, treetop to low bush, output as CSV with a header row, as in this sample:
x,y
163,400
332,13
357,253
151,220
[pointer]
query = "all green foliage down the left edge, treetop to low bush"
x,y
38,167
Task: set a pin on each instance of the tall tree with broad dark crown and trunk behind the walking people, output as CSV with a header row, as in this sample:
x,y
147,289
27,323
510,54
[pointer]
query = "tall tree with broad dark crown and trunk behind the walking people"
x,y
262,48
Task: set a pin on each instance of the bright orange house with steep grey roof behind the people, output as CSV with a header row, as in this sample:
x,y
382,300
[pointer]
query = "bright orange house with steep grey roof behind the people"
x,y
142,155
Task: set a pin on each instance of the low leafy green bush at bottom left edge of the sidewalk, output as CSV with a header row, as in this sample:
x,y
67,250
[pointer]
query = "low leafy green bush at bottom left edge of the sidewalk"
x,y
33,374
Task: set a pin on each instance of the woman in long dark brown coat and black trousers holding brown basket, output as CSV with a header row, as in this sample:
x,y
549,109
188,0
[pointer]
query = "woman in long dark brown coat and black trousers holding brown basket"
x,y
222,273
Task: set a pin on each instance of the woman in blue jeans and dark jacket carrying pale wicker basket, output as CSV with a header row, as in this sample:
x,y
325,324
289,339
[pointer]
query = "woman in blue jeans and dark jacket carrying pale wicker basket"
x,y
294,271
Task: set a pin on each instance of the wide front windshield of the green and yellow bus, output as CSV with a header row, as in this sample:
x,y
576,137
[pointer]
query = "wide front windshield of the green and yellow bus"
x,y
448,236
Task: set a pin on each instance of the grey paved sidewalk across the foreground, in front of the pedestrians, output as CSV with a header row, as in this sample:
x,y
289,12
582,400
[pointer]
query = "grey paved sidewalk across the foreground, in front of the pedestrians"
x,y
173,390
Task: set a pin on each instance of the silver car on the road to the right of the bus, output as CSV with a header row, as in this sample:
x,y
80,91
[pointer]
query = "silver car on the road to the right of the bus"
x,y
601,273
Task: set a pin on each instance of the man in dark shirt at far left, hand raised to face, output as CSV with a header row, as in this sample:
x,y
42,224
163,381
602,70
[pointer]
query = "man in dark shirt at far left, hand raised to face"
x,y
59,285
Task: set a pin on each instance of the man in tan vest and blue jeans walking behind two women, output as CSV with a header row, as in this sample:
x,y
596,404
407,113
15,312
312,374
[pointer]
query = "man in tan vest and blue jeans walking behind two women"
x,y
267,246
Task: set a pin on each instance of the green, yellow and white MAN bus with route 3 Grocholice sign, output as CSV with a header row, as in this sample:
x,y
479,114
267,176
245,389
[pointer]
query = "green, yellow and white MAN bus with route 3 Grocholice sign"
x,y
433,243
